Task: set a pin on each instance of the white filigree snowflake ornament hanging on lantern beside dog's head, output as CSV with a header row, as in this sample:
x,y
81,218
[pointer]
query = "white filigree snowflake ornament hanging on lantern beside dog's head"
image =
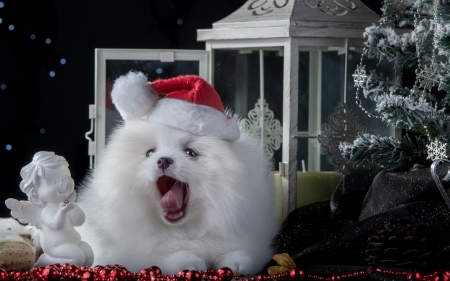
x,y
262,124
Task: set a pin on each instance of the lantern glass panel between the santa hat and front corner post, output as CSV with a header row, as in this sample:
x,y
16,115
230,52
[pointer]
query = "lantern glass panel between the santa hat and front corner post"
x,y
245,77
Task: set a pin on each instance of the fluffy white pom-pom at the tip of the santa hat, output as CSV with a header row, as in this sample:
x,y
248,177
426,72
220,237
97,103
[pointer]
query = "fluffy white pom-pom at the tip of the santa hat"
x,y
133,96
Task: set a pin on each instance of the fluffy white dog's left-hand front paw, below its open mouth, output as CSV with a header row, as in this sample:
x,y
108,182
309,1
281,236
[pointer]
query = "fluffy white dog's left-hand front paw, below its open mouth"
x,y
178,261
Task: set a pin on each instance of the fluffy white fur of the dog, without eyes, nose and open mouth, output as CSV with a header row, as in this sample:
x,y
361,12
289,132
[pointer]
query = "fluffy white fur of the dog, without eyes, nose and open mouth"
x,y
229,220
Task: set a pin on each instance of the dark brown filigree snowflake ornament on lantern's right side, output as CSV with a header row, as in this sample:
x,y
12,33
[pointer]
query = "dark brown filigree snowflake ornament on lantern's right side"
x,y
344,126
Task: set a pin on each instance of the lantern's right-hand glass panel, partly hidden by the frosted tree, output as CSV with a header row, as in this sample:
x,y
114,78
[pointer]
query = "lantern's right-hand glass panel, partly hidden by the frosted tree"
x,y
321,93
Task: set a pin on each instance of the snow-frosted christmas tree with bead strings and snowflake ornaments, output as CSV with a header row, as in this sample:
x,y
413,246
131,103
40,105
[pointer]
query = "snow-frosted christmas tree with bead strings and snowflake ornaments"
x,y
419,41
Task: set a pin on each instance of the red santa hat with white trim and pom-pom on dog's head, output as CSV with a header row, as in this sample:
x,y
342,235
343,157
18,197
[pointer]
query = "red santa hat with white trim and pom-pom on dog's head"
x,y
186,102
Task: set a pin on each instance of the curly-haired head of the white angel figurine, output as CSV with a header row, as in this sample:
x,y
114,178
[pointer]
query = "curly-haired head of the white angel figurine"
x,y
47,179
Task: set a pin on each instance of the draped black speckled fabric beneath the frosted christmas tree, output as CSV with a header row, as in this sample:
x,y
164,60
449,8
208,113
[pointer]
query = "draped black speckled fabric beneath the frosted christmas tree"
x,y
337,232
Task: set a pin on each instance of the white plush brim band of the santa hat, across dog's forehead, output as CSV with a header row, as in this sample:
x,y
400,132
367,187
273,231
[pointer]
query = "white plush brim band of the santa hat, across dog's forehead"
x,y
195,118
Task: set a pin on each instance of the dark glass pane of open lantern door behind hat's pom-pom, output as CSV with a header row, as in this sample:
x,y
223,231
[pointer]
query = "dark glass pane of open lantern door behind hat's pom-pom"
x,y
154,69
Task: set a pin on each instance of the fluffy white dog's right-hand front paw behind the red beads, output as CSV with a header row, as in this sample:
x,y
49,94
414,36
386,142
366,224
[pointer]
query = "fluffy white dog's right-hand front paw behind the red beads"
x,y
240,262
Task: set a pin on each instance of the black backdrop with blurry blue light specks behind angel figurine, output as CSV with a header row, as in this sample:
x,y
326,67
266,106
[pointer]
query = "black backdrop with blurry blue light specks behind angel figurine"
x,y
32,100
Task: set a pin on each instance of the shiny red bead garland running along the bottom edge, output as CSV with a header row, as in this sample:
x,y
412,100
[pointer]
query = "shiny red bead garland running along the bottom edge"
x,y
118,272
